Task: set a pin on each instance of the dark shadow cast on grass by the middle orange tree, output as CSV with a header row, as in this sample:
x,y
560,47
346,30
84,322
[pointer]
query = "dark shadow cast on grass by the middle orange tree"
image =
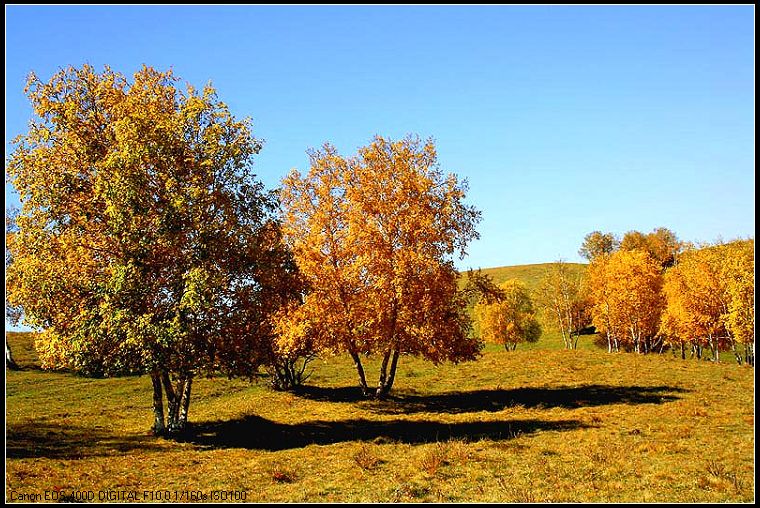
x,y
496,400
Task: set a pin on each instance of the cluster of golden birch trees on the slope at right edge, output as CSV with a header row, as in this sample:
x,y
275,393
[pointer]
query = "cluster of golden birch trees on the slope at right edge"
x,y
650,293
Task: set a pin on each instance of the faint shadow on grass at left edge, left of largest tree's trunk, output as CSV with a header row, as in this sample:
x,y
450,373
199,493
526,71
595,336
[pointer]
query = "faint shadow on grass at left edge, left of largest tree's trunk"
x,y
42,439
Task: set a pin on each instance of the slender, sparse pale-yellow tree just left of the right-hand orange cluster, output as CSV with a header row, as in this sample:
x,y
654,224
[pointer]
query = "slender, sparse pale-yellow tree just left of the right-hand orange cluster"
x,y
561,299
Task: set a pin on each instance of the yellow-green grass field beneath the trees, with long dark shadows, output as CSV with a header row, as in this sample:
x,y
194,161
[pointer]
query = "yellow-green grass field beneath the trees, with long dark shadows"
x,y
534,425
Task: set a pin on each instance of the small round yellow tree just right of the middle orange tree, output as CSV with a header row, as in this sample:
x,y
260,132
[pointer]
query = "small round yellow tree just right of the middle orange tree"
x,y
510,320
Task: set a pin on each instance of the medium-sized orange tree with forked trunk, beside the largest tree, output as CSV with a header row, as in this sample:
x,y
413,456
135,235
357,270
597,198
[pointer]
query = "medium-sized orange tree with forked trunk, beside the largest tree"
x,y
374,236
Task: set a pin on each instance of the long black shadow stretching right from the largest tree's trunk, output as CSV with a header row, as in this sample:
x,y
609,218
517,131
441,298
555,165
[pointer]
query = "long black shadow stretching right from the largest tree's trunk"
x,y
253,432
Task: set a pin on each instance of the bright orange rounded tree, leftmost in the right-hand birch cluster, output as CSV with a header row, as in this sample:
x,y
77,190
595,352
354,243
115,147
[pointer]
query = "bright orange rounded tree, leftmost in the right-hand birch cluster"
x,y
626,292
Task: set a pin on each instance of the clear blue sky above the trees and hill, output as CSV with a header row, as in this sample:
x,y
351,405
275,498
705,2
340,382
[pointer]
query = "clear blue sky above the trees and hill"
x,y
564,120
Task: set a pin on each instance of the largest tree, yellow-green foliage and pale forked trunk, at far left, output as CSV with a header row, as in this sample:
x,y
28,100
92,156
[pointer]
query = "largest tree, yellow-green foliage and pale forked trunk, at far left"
x,y
145,243
